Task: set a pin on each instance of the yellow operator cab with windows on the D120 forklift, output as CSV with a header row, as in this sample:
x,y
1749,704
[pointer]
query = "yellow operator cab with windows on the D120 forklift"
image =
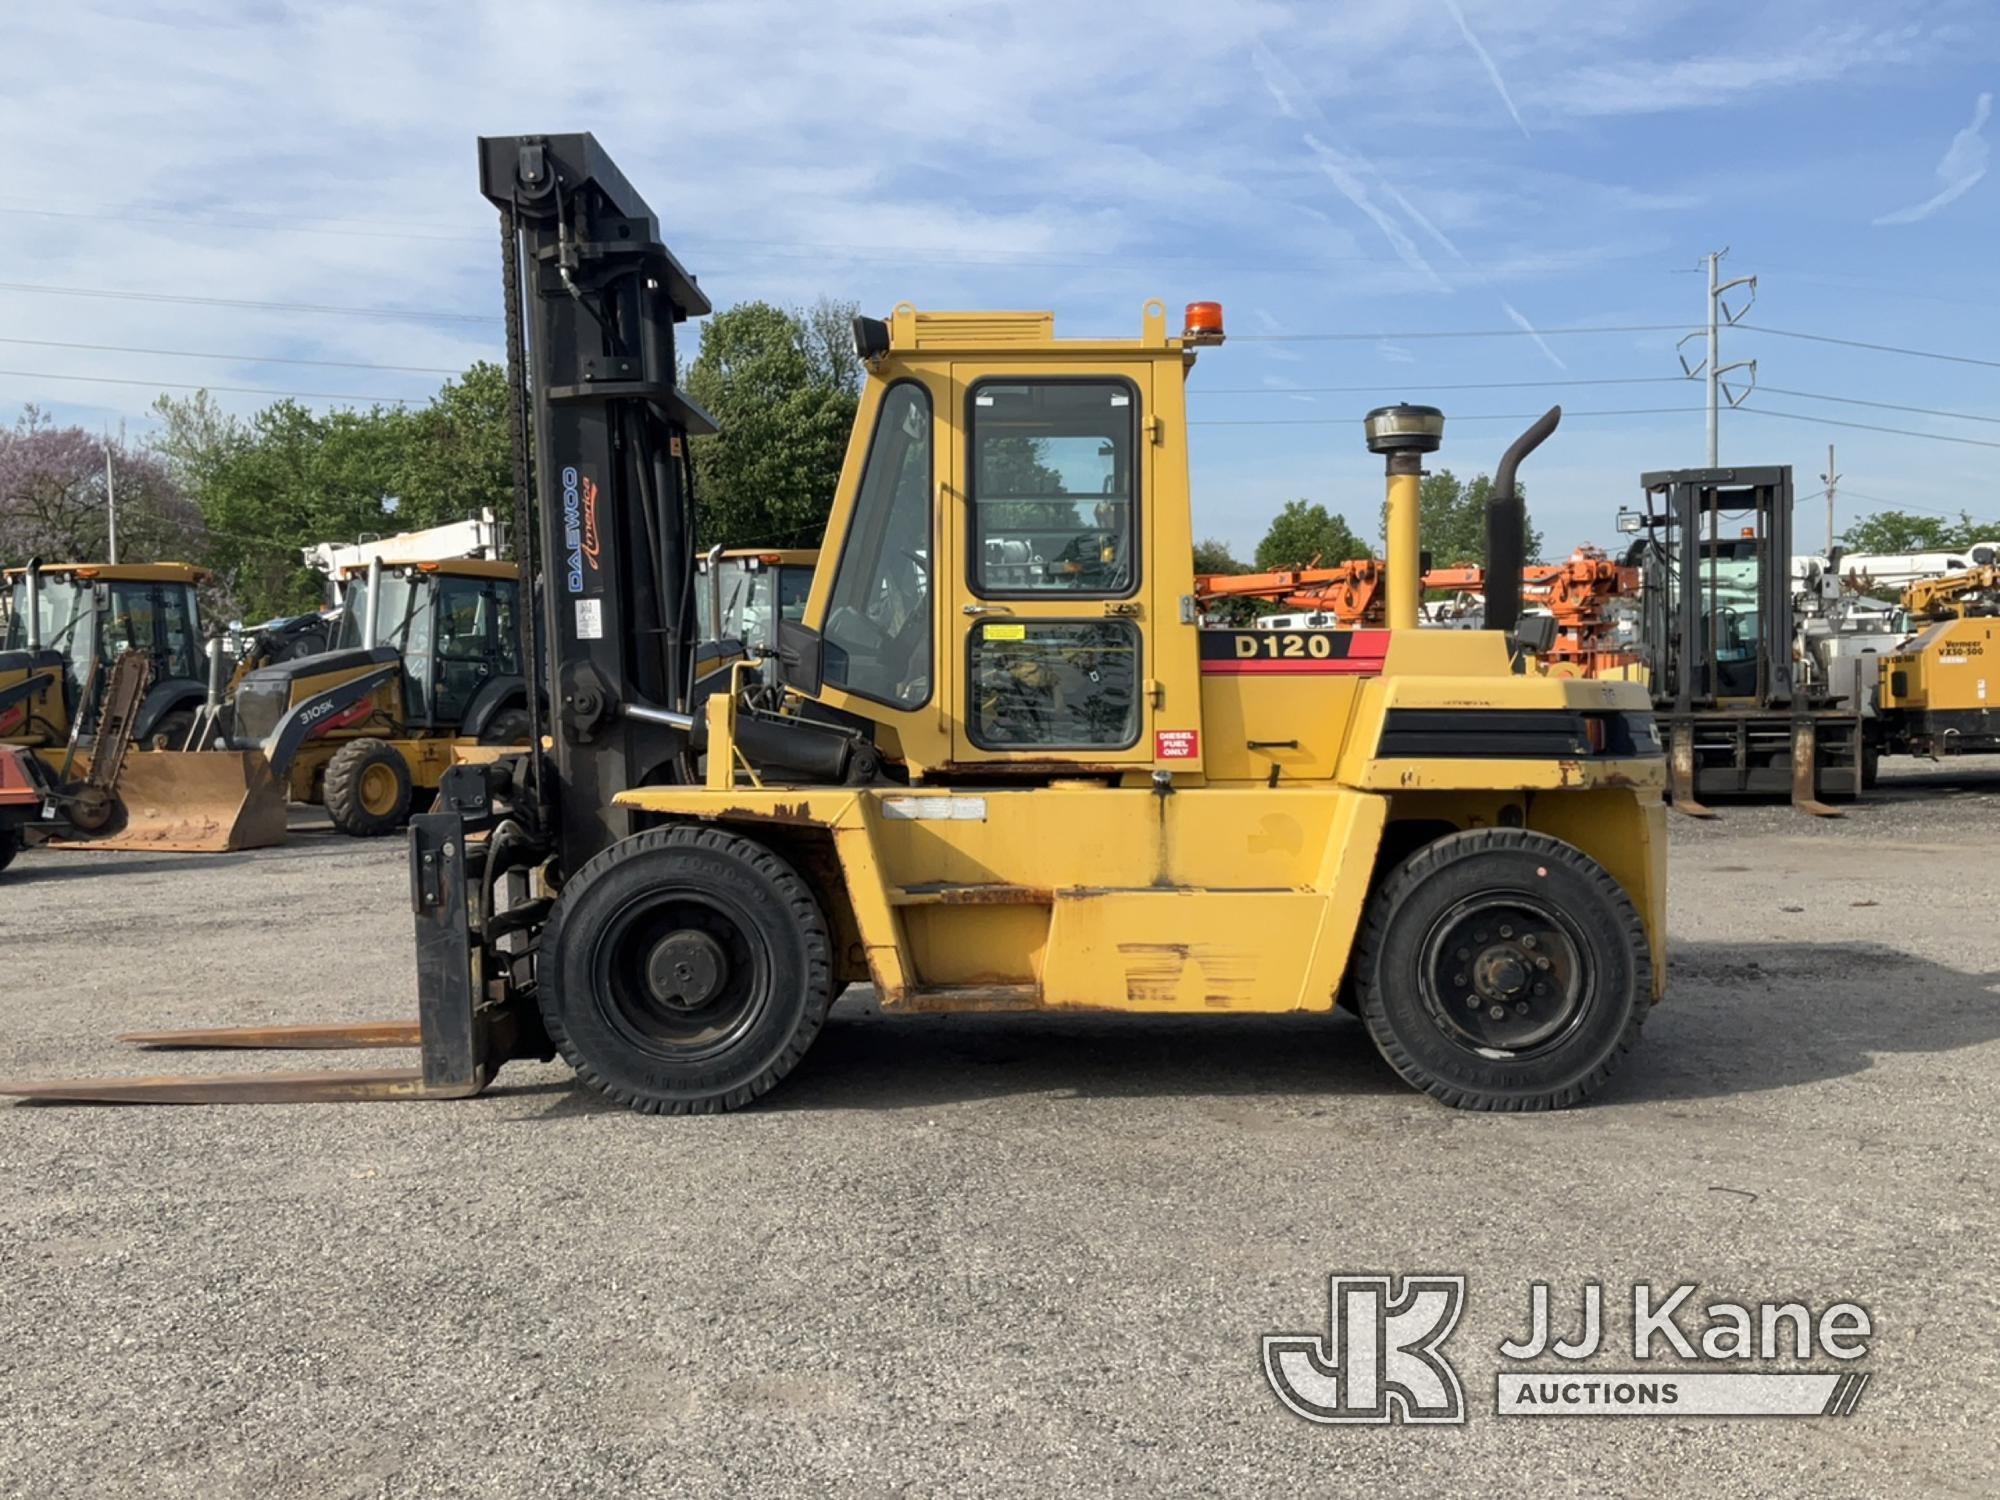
x,y
1005,537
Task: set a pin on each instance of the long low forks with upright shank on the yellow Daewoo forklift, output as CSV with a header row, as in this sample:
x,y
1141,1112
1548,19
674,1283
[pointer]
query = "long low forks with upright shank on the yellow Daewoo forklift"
x,y
461,1043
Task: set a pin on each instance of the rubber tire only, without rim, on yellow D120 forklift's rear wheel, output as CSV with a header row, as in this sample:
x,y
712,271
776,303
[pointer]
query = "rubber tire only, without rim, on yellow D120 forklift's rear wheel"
x,y
1609,935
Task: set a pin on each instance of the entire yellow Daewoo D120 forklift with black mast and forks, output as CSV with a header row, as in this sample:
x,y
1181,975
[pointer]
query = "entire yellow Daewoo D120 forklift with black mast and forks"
x,y
1001,767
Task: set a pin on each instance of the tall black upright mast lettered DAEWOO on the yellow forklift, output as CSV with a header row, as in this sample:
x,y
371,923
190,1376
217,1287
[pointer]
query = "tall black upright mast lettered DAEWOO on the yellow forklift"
x,y
607,523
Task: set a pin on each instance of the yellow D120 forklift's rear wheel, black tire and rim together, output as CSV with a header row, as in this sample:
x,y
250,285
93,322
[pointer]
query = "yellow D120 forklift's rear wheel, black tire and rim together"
x,y
1503,971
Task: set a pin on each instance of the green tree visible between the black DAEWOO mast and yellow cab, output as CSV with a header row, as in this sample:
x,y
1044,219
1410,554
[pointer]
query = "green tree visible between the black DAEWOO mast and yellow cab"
x,y
783,397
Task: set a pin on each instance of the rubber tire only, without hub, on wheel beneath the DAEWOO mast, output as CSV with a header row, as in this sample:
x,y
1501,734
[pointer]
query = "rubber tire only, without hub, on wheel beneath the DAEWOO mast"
x,y
783,953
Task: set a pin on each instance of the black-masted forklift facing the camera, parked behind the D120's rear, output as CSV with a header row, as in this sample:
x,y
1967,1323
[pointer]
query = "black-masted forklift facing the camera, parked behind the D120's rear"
x,y
1717,633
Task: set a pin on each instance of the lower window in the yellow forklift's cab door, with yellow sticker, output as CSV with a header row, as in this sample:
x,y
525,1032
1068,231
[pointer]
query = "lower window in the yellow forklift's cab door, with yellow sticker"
x,y
1055,685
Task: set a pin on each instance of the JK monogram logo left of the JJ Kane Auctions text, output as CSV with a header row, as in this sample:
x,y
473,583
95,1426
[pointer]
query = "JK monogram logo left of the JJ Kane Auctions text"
x,y
1379,1359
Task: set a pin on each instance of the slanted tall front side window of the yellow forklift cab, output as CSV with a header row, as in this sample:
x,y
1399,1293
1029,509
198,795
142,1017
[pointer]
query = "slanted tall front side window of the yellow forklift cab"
x,y
877,639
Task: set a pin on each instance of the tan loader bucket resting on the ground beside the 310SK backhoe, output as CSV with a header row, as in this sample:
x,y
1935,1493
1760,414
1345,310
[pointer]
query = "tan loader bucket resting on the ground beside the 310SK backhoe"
x,y
197,801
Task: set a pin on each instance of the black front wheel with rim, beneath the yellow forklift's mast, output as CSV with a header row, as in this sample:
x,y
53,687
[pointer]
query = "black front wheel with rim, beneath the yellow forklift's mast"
x,y
685,971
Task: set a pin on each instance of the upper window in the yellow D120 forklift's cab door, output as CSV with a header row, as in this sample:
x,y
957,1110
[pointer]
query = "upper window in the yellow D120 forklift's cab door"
x,y
1055,489
